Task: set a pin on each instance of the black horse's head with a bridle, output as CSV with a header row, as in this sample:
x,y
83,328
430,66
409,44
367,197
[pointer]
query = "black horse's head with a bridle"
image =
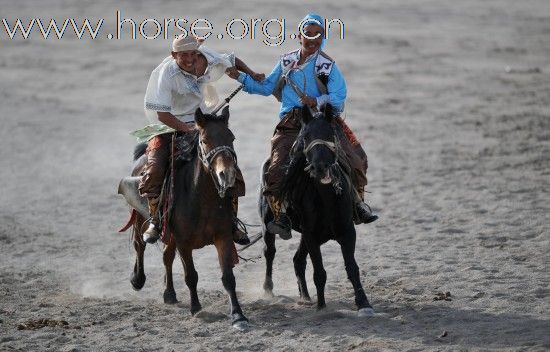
x,y
319,144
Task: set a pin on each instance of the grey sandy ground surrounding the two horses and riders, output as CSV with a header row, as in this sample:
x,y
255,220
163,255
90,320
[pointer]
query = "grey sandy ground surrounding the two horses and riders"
x,y
459,150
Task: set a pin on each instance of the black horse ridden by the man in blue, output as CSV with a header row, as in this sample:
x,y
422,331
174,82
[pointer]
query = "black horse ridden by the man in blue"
x,y
320,206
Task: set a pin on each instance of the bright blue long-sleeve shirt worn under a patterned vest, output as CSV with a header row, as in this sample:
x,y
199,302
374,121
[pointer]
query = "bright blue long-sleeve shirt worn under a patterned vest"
x,y
336,87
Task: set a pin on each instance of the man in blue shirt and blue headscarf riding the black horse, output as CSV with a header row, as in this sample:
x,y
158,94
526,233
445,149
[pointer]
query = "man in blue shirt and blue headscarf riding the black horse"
x,y
314,80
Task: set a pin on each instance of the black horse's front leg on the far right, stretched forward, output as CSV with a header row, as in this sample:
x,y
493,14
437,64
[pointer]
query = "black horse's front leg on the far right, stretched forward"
x,y
347,245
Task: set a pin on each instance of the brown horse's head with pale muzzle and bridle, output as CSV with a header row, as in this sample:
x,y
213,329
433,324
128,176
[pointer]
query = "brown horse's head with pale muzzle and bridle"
x,y
216,148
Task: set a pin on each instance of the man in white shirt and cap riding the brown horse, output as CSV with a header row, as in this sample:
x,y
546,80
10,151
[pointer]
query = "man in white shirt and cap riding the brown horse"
x,y
176,88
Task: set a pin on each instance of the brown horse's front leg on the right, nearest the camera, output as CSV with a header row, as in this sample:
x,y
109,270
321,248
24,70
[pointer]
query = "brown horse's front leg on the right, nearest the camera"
x,y
225,257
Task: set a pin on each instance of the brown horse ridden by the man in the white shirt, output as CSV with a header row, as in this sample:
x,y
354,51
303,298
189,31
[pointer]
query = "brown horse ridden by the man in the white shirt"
x,y
201,214
